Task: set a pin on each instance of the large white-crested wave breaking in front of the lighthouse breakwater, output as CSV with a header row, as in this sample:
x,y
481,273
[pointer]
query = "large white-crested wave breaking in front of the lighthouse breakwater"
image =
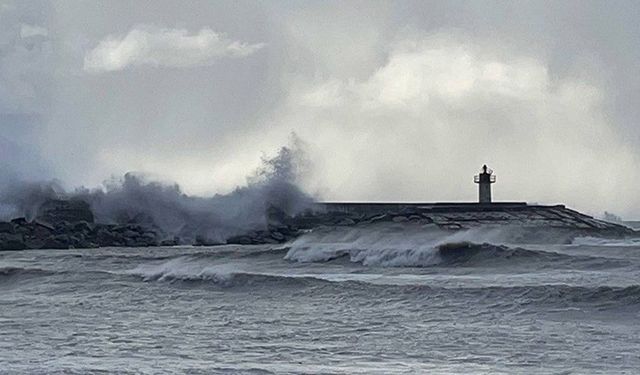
x,y
389,247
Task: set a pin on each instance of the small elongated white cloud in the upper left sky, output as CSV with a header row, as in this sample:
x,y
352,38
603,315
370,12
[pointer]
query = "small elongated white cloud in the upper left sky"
x,y
164,47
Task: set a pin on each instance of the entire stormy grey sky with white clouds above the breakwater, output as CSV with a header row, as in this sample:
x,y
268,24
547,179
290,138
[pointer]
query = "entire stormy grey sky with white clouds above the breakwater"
x,y
392,100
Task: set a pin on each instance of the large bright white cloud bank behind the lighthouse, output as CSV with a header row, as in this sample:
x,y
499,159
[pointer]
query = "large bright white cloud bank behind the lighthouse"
x,y
421,124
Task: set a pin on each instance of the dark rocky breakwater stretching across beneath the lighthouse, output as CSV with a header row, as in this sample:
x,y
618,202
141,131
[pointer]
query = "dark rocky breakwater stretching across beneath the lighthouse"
x,y
62,224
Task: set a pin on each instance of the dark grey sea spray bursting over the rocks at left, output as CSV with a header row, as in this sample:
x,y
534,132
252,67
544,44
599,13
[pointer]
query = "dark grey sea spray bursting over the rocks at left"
x,y
164,207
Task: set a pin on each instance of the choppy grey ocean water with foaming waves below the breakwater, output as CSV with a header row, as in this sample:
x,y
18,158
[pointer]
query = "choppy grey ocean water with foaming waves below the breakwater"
x,y
335,301
